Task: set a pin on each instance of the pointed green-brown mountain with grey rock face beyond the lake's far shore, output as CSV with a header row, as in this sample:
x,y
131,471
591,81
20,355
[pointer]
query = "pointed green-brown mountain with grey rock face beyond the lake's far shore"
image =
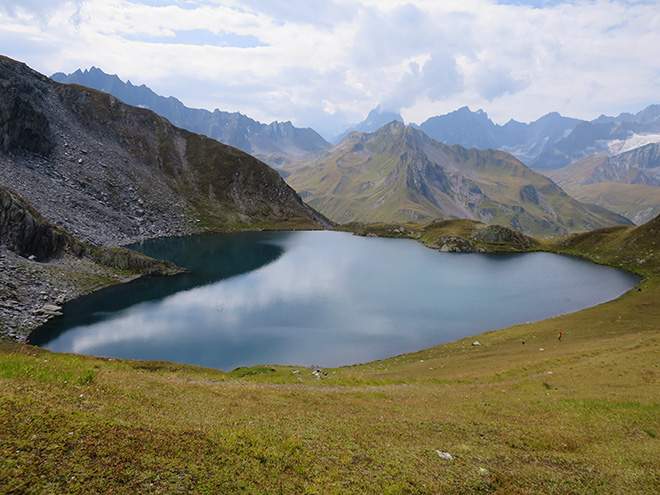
x,y
399,174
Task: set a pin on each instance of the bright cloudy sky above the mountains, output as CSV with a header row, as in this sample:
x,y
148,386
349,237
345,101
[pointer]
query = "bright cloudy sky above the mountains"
x,y
326,63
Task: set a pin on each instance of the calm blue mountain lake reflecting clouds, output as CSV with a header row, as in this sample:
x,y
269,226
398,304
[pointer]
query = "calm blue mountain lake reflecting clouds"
x,y
324,298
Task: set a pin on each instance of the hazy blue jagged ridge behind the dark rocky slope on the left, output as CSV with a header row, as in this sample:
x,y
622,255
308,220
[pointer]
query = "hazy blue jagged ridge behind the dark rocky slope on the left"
x,y
275,143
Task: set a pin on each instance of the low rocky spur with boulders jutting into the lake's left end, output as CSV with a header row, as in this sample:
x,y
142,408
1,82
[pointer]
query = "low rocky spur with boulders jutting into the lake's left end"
x,y
42,266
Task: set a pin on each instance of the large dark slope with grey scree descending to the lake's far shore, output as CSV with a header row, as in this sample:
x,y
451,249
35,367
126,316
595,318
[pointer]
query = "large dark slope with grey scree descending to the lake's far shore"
x,y
109,173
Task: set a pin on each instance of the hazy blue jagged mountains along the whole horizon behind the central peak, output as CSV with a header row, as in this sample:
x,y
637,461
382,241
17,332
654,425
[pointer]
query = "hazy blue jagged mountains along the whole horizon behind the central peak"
x,y
553,141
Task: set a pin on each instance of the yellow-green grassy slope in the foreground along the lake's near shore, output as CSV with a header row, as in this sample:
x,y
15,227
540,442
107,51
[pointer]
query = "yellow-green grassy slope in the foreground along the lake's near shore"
x,y
580,415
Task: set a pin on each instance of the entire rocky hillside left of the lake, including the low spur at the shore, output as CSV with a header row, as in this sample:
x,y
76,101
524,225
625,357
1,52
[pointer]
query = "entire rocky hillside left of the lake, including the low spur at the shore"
x,y
81,171
